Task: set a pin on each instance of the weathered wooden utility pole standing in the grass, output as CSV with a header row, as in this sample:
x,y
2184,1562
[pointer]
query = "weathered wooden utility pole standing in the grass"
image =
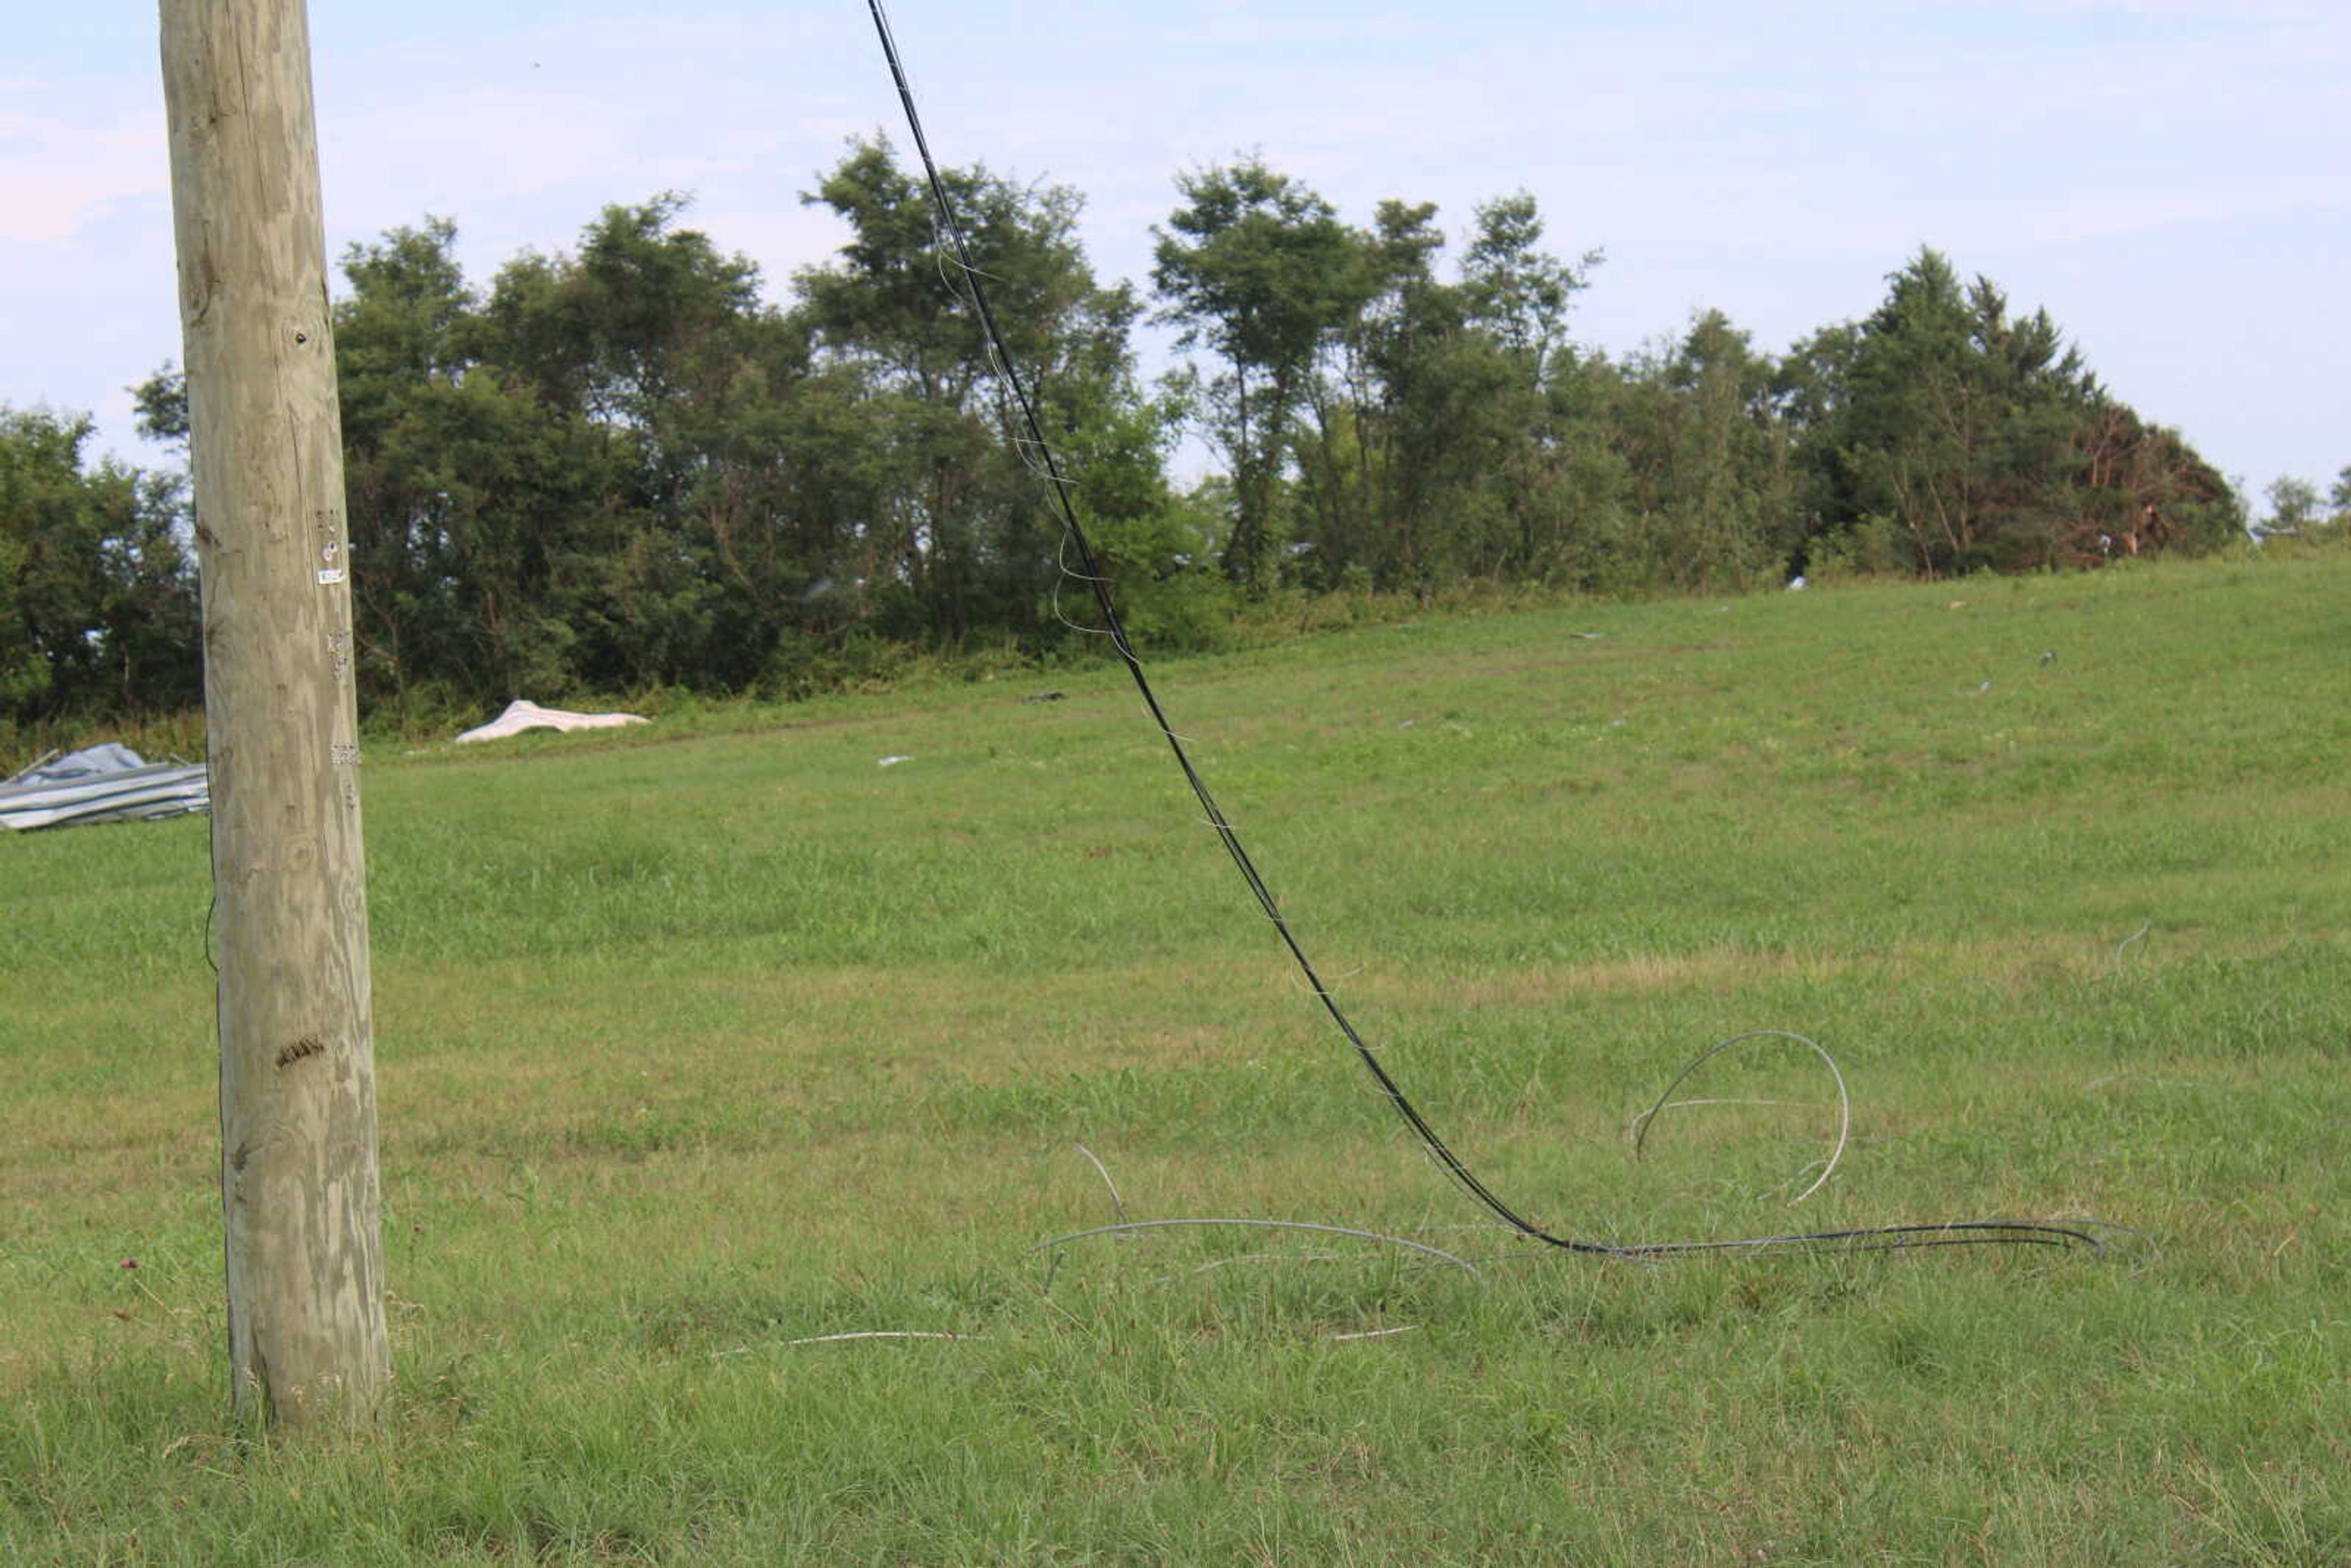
x,y
300,1188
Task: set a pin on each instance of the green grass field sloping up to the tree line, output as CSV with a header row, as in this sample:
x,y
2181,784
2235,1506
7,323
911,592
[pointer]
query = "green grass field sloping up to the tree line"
x,y
702,1045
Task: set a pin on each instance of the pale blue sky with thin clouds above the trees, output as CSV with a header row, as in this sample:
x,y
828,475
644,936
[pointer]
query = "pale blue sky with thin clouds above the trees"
x,y
2169,177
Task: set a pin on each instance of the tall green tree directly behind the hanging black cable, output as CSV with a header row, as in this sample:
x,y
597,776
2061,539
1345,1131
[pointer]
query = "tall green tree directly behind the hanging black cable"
x,y
956,532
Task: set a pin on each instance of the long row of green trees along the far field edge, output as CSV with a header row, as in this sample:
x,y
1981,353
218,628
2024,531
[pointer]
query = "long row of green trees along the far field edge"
x,y
624,467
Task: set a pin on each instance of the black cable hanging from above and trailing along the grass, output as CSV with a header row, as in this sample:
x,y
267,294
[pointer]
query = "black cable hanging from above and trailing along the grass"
x,y
956,253
